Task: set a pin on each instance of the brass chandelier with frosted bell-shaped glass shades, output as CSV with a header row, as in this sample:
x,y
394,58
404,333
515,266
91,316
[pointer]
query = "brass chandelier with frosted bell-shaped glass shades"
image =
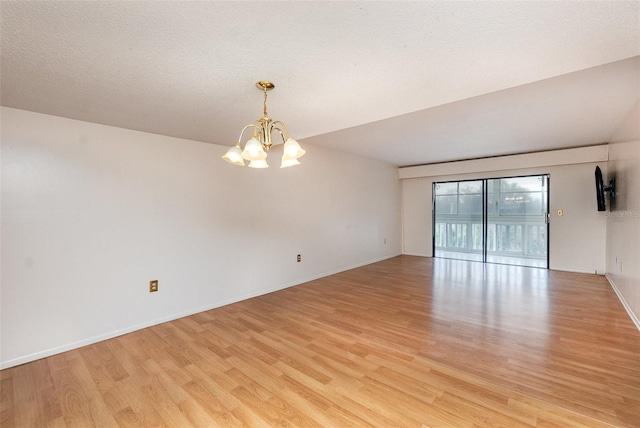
x,y
255,150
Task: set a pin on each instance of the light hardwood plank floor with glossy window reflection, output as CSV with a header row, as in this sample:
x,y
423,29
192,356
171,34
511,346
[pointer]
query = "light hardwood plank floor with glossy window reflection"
x,y
405,342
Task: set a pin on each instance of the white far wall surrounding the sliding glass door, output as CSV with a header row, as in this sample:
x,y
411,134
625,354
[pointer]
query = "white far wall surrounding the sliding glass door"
x,y
577,239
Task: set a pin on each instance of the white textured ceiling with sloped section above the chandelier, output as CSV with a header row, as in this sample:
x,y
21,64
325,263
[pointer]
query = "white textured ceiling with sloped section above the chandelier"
x,y
434,81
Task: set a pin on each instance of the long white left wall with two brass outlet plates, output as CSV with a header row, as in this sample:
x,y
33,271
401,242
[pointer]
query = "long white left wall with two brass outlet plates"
x,y
92,213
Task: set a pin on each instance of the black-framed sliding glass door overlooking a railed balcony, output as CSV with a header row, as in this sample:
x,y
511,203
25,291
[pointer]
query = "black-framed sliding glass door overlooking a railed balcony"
x,y
502,220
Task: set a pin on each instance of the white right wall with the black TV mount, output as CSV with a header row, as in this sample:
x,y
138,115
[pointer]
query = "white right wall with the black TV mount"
x,y
623,221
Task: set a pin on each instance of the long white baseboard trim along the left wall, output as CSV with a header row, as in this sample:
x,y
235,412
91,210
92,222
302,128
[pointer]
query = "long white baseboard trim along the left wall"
x,y
110,335
